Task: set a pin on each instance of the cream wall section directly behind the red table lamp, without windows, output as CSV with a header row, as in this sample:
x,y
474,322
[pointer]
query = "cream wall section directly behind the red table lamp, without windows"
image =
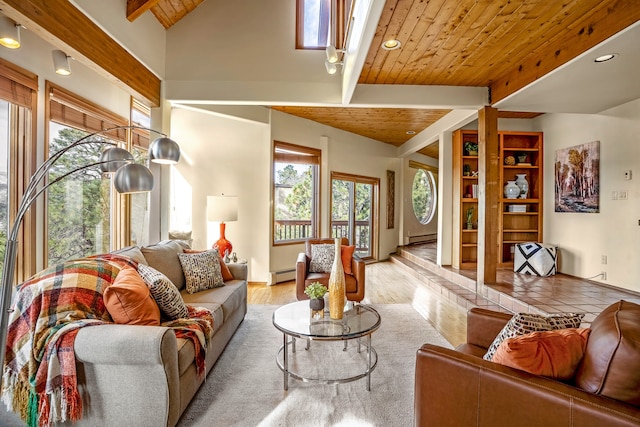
x,y
230,156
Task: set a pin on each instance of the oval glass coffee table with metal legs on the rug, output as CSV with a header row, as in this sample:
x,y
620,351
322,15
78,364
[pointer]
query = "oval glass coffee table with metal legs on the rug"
x,y
295,320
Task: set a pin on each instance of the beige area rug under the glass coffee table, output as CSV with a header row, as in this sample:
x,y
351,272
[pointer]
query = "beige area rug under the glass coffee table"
x,y
245,387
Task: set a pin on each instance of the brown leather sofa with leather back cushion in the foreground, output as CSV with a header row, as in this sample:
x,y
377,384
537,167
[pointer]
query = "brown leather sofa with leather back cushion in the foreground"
x,y
459,388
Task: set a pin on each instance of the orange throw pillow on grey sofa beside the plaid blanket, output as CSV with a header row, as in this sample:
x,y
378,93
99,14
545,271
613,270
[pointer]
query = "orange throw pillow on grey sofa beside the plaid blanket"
x,y
129,301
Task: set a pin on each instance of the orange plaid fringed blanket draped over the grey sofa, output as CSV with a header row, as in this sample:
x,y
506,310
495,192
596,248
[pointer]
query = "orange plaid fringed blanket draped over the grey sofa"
x,y
39,377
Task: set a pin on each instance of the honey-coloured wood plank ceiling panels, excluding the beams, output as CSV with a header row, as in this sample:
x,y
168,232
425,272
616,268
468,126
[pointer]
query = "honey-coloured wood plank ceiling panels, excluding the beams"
x,y
499,44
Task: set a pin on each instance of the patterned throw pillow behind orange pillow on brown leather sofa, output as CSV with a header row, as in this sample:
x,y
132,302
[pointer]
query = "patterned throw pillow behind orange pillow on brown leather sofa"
x,y
525,323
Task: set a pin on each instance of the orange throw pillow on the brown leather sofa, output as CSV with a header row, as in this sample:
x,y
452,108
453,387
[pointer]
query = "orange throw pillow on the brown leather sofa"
x,y
554,354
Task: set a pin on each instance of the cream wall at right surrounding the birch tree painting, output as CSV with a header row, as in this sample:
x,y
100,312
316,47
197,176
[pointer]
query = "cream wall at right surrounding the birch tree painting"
x,y
615,232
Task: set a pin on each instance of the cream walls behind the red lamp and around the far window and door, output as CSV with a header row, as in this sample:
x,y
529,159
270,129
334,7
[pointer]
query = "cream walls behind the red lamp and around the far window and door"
x,y
222,154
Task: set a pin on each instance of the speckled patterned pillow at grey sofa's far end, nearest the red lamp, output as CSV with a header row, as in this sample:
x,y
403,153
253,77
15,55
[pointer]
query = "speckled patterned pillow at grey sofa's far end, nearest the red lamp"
x,y
201,271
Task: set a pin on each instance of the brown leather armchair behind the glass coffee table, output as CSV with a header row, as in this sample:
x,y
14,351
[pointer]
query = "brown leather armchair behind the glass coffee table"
x,y
354,282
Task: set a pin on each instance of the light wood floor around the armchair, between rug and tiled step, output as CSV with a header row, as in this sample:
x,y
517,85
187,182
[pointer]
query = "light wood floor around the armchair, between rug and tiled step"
x,y
386,283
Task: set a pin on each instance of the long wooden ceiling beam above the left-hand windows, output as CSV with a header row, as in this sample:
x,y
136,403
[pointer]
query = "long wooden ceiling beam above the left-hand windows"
x,y
66,27
